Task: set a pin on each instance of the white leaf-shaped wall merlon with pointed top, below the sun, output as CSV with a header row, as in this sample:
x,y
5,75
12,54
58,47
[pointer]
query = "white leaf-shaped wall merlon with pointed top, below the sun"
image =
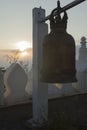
x,y
15,80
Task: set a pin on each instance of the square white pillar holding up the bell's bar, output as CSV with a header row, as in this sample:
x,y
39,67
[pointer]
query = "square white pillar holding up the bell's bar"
x,y
40,90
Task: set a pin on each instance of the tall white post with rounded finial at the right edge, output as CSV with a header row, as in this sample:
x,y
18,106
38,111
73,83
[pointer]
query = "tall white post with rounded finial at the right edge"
x,y
82,67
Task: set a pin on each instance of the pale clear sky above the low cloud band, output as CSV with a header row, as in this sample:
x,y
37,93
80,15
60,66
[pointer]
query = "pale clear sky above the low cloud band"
x,y
16,20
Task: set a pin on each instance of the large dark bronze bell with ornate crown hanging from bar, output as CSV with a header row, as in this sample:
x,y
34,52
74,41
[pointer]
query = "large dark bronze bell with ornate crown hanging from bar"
x,y
58,53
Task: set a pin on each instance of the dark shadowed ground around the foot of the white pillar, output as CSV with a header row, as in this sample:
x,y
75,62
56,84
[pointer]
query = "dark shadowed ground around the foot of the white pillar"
x,y
67,113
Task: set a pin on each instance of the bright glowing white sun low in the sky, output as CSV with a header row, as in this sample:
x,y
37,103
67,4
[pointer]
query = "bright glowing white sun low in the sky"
x,y
23,45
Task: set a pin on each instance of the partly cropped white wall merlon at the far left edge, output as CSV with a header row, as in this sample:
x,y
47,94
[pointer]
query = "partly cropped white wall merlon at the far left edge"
x,y
2,89
